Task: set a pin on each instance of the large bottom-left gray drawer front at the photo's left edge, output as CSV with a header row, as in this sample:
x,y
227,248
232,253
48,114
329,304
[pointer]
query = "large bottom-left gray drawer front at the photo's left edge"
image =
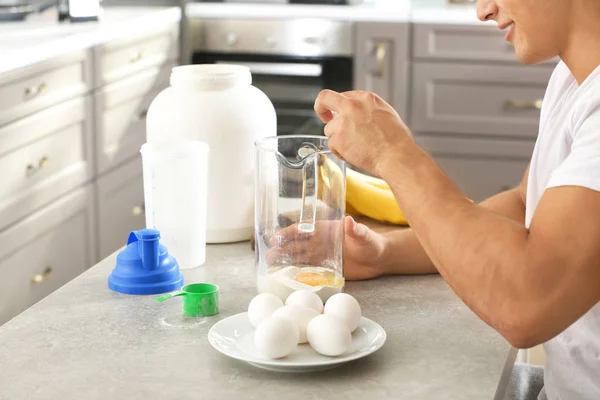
x,y
46,250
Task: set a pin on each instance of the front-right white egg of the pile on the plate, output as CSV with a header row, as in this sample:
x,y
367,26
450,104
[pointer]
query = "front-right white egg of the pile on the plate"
x,y
328,335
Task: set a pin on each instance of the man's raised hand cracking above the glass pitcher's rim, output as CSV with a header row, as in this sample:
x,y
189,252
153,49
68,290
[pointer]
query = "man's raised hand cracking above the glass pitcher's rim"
x,y
362,128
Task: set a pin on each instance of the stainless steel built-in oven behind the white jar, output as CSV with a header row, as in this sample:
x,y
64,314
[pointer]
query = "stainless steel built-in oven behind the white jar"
x,y
291,61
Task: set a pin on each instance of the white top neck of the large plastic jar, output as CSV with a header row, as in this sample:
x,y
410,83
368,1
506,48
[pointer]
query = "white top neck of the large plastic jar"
x,y
210,76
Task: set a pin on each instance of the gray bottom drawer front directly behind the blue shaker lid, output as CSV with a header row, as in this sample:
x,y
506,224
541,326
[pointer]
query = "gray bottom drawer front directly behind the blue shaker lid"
x,y
120,206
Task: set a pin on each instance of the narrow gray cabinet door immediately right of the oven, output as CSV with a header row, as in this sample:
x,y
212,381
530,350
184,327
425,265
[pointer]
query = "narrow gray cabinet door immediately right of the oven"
x,y
381,63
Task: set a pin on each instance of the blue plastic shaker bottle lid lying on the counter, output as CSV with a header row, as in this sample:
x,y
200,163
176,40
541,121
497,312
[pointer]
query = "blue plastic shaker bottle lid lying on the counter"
x,y
145,266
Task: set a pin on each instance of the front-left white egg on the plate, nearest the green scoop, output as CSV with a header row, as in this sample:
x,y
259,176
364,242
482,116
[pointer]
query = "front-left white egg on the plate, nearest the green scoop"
x,y
276,337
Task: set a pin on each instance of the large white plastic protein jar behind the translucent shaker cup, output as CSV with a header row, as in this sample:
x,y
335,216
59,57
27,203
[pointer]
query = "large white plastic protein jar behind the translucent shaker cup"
x,y
217,104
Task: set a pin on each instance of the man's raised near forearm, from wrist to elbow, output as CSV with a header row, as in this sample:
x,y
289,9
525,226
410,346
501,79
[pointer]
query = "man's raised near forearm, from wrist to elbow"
x,y
479,252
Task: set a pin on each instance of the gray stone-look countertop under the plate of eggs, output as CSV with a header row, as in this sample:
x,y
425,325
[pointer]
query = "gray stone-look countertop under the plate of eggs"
x,y
87,342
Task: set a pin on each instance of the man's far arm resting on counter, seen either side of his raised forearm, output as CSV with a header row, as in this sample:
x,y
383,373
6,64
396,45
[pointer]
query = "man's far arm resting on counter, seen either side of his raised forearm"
x,y
405,255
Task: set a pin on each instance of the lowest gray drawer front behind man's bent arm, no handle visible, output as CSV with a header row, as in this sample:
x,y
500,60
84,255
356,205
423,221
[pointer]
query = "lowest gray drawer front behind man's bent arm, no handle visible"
x,y
479,167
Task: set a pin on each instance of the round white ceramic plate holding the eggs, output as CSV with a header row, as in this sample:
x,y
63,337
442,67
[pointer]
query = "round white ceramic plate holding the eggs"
x,y
234,337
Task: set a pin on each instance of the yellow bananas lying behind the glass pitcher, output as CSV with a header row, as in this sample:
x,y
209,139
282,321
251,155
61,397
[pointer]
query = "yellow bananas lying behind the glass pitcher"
x,y
365,195
